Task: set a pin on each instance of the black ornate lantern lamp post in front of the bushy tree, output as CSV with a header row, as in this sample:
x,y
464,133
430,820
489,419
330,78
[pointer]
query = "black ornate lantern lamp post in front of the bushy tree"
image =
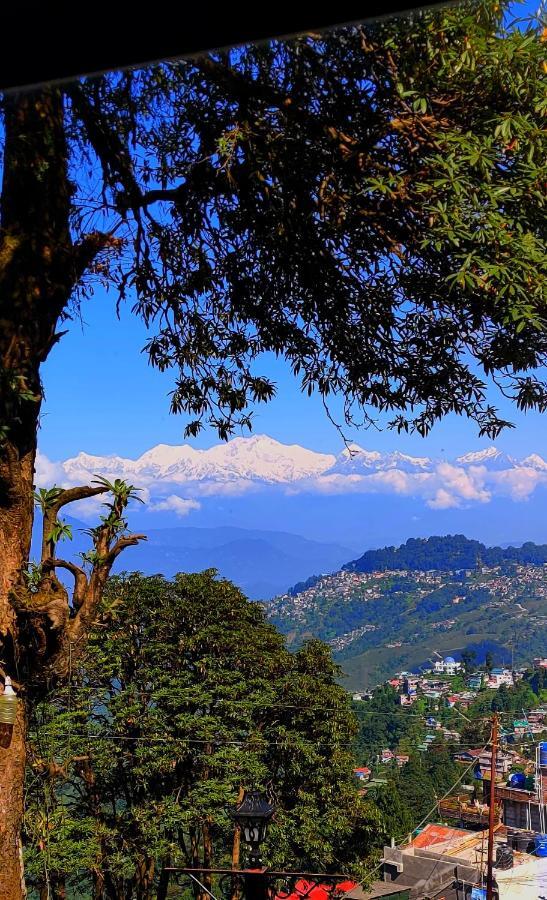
x,y
253,816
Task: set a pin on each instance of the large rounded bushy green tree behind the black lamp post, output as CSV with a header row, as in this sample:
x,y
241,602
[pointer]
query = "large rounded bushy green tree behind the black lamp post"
x,y
186,695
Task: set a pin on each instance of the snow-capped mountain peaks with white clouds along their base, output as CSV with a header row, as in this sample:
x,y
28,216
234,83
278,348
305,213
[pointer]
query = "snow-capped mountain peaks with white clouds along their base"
x,y
174,477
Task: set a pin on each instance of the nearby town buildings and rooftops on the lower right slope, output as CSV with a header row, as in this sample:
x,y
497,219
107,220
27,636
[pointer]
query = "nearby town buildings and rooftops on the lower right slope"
x,y
445,854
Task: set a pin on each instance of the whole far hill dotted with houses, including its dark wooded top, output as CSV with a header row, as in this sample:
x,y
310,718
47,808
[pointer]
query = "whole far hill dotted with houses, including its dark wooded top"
x,y
396,608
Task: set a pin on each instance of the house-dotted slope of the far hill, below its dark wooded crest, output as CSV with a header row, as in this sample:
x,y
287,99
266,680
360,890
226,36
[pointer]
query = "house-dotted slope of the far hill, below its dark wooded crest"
x,y
355,612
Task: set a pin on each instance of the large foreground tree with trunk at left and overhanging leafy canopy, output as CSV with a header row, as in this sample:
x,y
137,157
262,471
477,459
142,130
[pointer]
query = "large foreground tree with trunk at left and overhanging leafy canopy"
x,y
367,204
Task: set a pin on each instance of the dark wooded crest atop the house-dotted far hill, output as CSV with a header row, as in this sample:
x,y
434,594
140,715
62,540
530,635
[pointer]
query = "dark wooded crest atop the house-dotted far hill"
x,y
445,554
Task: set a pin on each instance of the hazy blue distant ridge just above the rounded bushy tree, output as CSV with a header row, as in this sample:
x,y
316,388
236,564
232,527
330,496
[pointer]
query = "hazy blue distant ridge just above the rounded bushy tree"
x,y
261,563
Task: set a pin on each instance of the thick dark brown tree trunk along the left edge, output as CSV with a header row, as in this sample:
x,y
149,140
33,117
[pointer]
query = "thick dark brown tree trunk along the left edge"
x,y
36,278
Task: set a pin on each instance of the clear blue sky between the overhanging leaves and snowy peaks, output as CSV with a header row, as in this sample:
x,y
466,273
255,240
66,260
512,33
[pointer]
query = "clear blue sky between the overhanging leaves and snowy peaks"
x,y
103,397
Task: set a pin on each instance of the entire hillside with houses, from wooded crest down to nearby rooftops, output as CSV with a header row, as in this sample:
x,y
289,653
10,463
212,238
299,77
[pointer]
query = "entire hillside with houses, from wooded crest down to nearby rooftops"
x,y
436,638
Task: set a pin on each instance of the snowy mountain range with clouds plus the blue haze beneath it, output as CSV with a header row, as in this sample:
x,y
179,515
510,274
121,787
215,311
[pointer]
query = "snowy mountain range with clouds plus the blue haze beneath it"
x,y
360,498
